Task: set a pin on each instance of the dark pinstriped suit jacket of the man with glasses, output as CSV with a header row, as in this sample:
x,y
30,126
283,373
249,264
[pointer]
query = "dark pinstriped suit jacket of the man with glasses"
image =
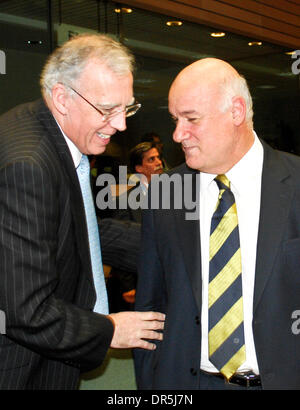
x,y
46,290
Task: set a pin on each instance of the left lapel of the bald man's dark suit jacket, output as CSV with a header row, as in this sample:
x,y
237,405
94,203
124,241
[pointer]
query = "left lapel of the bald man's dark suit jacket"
x,y
189,231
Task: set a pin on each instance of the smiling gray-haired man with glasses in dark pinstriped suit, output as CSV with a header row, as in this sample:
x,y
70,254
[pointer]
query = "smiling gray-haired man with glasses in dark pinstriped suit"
x,y
47,287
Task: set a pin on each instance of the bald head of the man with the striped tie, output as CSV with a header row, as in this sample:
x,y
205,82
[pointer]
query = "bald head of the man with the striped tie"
x,y
212,107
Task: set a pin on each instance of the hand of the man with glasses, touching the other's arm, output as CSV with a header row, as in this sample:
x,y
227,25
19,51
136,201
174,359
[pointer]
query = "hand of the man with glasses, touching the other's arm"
x,y
132,328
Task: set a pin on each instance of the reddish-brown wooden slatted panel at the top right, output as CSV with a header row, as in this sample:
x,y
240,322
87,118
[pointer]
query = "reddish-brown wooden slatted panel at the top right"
x,y
276,21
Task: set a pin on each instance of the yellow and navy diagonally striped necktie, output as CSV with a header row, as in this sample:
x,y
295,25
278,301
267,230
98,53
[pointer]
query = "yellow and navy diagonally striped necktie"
x,y
225,301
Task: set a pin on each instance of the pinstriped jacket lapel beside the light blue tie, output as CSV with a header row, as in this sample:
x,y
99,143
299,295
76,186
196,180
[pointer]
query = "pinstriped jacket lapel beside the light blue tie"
x,y
77,207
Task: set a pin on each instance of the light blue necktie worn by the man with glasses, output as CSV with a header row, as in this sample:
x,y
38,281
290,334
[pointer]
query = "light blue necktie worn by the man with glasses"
x,y
83,172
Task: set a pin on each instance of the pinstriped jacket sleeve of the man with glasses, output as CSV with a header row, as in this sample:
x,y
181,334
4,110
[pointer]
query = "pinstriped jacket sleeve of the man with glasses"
x,y
36,316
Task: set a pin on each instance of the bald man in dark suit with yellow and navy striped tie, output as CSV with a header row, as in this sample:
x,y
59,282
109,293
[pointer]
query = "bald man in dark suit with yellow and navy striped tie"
x,y
212,109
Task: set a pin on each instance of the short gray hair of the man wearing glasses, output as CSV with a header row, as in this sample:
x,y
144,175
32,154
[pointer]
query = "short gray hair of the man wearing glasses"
x,y
67,62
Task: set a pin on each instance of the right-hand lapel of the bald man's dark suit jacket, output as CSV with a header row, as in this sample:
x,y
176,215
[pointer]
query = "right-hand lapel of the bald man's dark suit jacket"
x,y
276,195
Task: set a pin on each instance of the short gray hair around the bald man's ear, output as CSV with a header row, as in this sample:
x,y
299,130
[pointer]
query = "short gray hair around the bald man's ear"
x,y
233,86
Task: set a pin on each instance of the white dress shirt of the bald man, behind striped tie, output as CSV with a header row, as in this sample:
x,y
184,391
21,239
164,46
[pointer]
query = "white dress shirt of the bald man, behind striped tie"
x,y
245,178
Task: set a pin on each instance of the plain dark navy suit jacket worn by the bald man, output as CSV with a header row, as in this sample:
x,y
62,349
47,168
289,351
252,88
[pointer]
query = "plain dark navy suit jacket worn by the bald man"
x,y
170,282
